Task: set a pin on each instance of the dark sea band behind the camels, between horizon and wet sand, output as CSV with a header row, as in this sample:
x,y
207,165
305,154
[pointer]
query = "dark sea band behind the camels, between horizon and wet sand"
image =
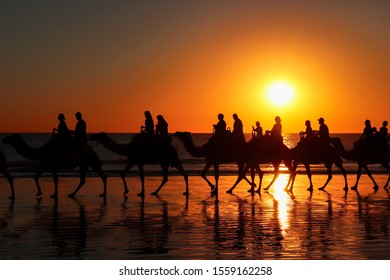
x,y
114,163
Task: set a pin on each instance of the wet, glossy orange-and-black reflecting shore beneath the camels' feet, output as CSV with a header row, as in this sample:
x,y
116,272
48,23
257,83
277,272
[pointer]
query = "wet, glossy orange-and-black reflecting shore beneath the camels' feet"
x,y
273,225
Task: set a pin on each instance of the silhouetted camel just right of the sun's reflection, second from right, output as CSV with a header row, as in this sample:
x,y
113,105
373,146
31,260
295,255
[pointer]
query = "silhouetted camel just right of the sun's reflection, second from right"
x,y
316,153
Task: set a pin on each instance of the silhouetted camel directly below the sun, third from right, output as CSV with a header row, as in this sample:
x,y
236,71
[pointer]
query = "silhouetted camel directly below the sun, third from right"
x,y
263,151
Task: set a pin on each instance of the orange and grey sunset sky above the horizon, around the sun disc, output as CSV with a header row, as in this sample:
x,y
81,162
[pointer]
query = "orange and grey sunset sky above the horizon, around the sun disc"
x,y
190,60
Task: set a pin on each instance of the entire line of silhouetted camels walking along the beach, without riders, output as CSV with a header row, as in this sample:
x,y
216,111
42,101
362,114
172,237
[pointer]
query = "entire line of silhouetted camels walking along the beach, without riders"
x,y
144,149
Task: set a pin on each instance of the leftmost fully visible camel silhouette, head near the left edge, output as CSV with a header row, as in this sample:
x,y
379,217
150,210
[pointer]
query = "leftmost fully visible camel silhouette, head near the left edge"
x,y
52,159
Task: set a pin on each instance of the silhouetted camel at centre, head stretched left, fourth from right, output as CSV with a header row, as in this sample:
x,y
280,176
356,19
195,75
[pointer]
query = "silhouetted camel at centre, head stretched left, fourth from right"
x,y
216,152
